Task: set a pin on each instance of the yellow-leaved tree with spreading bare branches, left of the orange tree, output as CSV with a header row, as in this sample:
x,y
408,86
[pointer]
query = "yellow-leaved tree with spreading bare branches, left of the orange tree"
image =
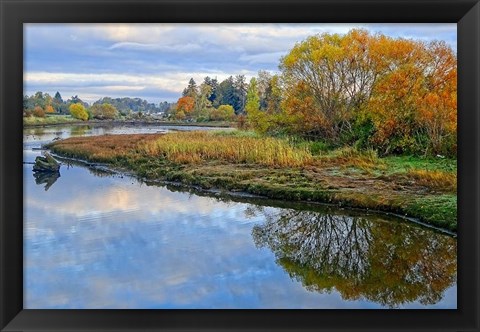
x,y
335,70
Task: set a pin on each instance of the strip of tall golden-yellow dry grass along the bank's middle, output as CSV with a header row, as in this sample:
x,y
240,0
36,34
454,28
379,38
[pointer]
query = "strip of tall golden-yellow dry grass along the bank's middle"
x,y
195,147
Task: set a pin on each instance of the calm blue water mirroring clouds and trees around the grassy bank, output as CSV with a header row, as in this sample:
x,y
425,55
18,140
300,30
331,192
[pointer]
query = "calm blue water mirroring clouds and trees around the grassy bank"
x,y
99,240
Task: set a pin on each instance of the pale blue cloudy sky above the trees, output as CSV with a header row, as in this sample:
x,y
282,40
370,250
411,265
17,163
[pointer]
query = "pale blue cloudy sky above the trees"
x,y
155,61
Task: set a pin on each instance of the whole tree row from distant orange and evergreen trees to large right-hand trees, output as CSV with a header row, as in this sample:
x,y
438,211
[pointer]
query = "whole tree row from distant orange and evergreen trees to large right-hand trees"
x,y
370,91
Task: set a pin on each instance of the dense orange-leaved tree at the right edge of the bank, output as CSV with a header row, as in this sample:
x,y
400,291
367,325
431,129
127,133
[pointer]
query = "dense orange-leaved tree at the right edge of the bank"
x,y
414,100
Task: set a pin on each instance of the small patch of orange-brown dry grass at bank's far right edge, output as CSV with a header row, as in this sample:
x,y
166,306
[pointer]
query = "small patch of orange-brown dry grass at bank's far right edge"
x,y
435,180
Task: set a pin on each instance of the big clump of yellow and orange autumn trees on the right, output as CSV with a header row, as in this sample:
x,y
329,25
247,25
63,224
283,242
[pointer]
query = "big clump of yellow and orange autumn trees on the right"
x,y
395,95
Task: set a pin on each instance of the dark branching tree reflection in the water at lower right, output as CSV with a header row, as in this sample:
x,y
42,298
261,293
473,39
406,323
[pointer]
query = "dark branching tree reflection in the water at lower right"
x,y
387,262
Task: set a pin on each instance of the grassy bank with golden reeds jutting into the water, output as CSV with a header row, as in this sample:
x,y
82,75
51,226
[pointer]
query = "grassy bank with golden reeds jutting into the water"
x,y
282,169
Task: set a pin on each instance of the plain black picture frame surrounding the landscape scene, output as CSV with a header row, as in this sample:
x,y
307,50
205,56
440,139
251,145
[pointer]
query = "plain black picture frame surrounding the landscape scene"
x,y
14,13
